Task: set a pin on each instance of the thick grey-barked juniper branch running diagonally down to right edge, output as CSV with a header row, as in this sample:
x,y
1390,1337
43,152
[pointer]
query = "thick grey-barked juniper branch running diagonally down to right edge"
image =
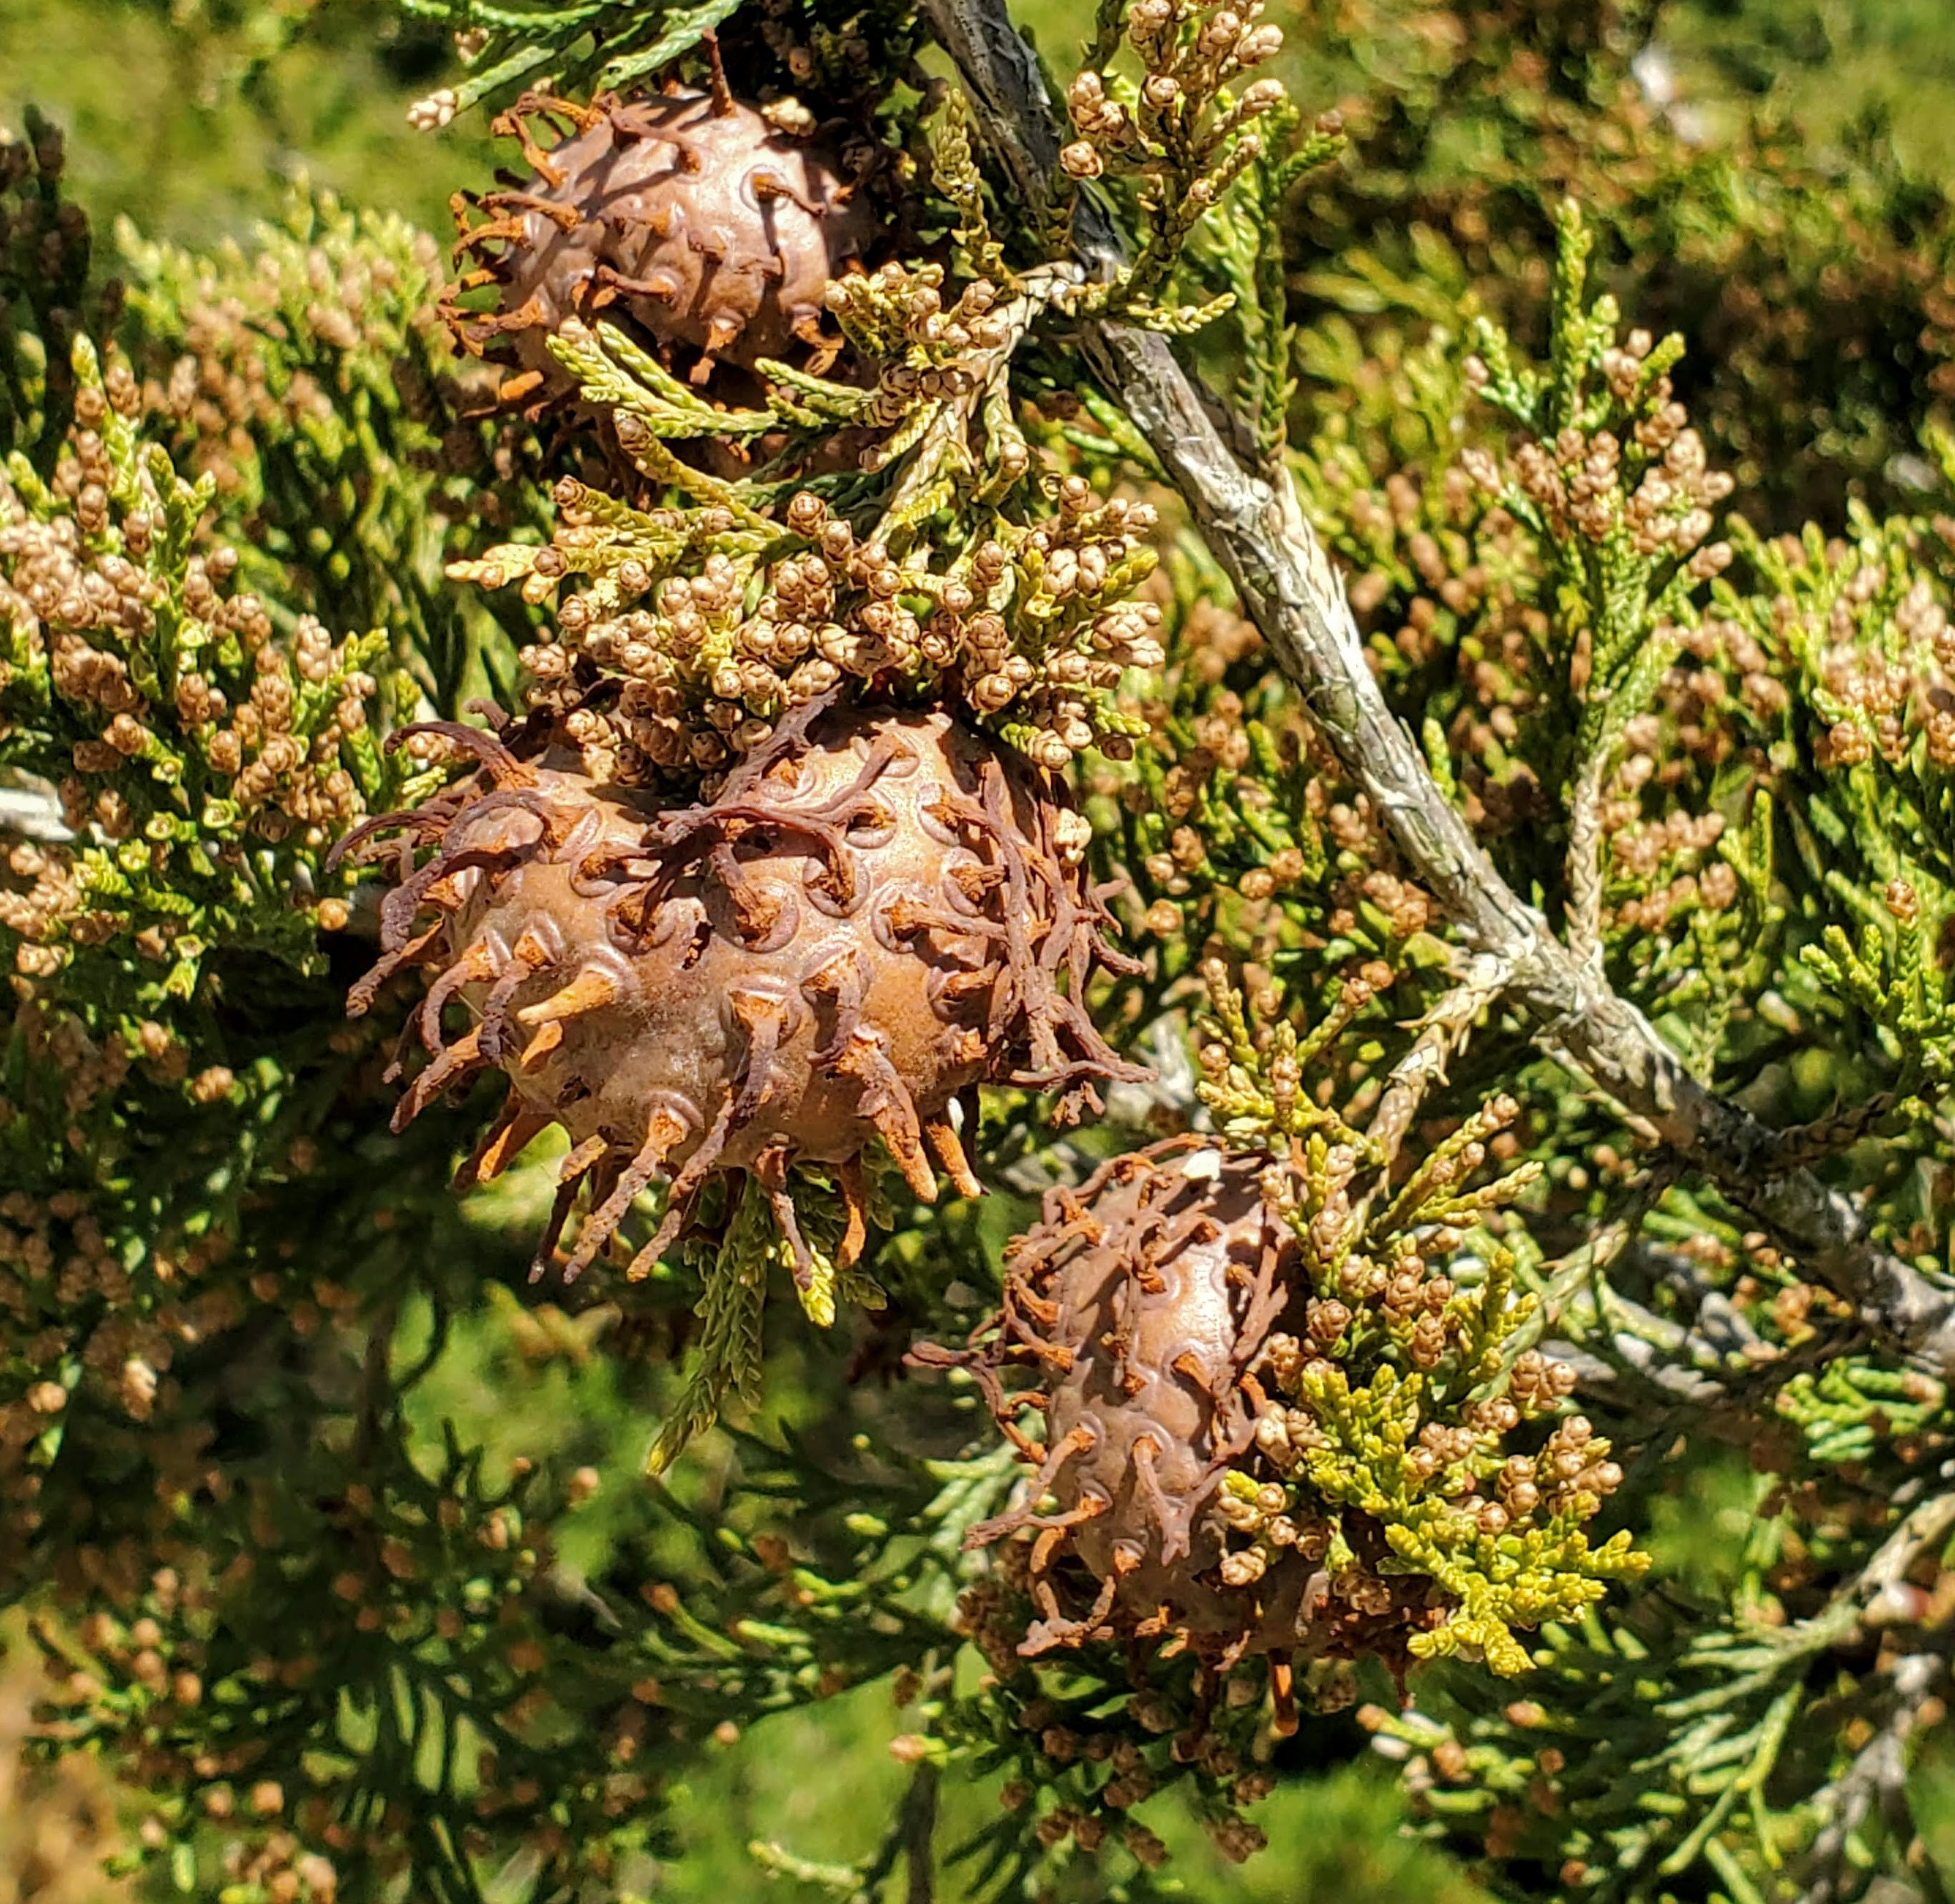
x,y
1287,585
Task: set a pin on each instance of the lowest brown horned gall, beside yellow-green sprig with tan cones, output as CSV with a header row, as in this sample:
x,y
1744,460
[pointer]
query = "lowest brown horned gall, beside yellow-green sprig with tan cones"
x,y
1147,1303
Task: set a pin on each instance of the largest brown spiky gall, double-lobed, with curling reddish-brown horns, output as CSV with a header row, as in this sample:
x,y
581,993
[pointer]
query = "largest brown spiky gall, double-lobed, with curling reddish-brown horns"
x,y
879,914
